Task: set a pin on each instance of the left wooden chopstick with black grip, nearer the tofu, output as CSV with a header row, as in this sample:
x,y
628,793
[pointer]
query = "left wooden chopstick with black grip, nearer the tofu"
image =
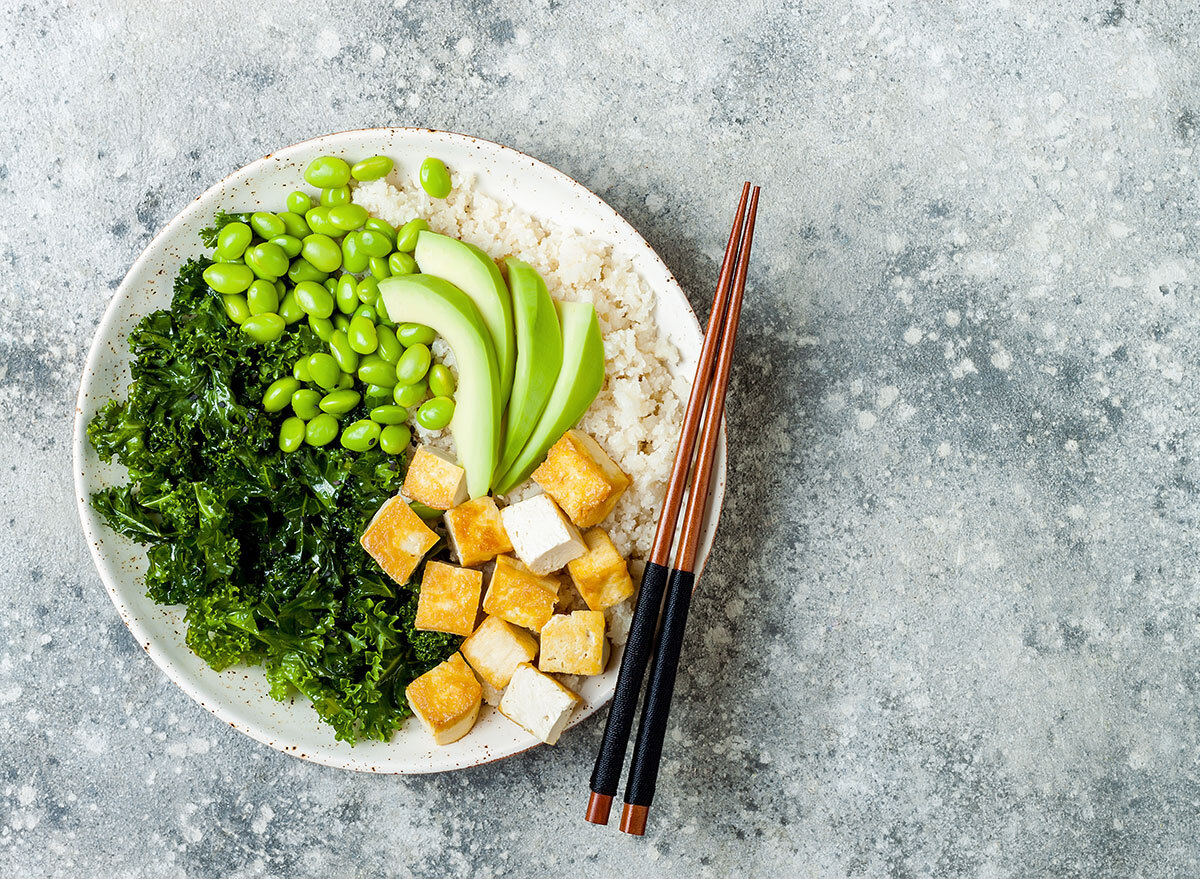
x,y
640,642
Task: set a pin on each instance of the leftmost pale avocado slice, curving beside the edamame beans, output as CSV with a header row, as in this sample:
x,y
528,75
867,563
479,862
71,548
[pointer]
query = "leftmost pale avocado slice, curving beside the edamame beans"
x,y
452,314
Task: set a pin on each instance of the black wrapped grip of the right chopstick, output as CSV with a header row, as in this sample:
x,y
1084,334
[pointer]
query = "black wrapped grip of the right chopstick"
x,y
644,772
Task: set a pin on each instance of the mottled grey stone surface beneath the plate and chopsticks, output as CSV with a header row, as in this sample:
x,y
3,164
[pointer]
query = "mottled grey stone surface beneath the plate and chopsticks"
x,y
952,625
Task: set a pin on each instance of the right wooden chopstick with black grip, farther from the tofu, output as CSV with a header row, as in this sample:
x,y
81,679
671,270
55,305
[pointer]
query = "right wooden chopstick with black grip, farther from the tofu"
x,y
644,770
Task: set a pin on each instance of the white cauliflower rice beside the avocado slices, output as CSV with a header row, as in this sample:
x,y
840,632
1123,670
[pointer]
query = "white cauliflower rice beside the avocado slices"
x,y
638,412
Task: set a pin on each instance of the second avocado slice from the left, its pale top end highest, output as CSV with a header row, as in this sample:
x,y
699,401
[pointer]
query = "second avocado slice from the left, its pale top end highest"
x,y
476,274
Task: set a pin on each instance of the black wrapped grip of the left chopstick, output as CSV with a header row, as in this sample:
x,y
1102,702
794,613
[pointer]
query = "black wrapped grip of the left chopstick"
x,y
639,647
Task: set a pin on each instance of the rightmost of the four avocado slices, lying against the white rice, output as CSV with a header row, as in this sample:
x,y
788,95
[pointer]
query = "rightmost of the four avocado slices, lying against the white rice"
x,y
577,387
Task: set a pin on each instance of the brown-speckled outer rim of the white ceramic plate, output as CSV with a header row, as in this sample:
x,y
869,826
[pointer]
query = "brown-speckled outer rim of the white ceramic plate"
x,y
85,459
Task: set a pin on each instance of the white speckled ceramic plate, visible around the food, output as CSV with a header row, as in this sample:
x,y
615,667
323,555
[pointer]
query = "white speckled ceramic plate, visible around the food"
x,y
239,697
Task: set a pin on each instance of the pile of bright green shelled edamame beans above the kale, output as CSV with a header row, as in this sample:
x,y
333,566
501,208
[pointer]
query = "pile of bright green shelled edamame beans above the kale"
x,y
322,261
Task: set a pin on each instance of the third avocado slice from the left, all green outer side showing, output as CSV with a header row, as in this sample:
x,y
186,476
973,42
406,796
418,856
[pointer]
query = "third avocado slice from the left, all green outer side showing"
x,y
539,357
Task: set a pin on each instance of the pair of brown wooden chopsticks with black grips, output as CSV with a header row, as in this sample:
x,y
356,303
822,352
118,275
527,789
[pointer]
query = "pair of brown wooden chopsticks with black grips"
x,y
707,403
